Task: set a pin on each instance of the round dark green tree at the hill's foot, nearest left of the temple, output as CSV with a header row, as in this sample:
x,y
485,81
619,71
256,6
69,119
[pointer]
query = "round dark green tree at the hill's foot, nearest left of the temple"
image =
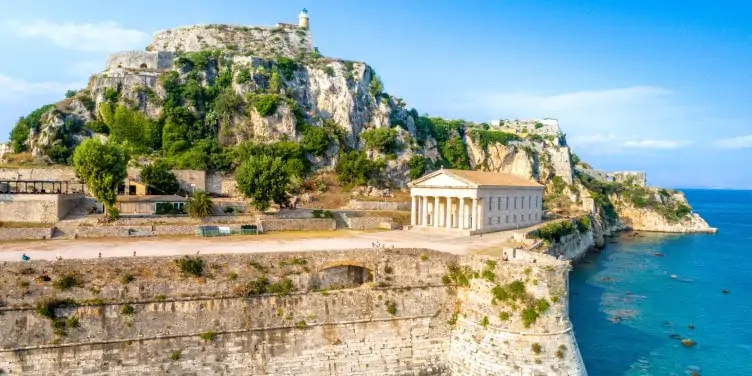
x,y
263,179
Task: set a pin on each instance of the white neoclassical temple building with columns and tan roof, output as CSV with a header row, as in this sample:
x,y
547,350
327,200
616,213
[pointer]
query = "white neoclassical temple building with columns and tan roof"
x,y
453,199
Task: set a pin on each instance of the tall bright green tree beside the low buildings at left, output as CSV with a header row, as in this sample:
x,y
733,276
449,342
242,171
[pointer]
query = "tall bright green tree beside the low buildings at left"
x,y
102,168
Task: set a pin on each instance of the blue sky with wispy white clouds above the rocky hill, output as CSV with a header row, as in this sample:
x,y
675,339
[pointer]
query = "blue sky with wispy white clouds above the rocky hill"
x,y
660,86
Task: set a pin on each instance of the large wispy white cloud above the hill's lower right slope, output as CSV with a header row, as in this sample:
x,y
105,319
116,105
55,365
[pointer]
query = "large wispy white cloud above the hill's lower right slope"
x,y
619,118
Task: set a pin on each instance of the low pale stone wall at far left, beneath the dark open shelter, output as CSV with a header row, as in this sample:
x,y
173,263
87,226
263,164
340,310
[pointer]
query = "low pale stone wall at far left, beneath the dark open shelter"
x,y
36,208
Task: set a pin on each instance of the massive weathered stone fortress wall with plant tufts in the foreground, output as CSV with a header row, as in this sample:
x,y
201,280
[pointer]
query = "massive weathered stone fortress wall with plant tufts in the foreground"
x,y
357,312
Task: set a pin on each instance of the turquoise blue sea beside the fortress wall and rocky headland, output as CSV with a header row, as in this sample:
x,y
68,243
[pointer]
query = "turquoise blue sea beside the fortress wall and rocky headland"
x,y
628,300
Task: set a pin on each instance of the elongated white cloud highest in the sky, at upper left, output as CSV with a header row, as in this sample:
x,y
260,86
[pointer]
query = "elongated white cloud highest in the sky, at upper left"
x,y
87,37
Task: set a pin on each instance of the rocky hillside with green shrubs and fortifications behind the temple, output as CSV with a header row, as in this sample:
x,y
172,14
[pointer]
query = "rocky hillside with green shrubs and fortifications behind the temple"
x,y
209,97
